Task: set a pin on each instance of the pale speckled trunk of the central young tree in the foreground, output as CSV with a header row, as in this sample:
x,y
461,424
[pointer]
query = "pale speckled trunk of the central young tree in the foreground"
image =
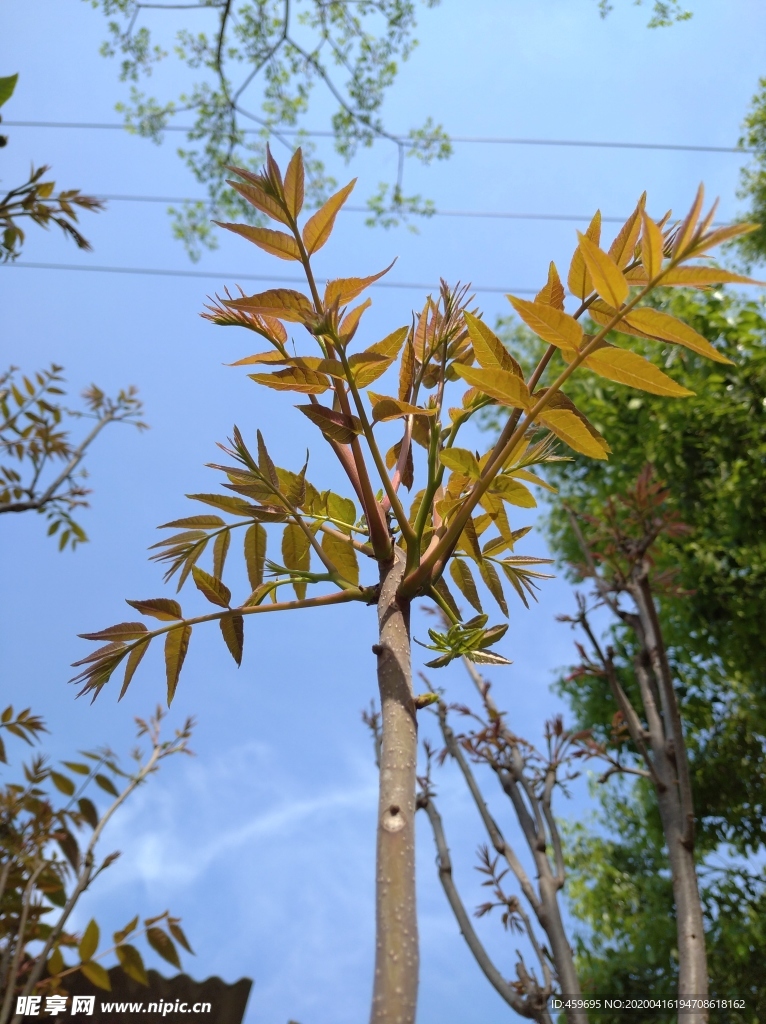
x,y
397,957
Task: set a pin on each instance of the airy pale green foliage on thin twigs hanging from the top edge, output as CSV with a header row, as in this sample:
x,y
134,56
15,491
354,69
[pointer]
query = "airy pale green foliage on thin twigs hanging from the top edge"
x,y
254,68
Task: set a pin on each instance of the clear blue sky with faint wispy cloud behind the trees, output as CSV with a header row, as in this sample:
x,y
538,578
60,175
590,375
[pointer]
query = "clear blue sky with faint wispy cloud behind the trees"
x,y
265,842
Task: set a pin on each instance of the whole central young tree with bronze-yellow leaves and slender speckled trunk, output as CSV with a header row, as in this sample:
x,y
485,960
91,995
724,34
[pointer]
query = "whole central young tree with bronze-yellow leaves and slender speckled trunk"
x,y
457,518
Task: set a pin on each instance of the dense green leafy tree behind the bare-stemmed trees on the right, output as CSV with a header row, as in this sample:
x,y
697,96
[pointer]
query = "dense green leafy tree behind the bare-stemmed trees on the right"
x,y
710,451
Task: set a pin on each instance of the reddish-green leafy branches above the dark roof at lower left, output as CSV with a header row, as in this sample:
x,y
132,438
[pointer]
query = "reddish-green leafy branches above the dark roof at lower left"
x,y
47,865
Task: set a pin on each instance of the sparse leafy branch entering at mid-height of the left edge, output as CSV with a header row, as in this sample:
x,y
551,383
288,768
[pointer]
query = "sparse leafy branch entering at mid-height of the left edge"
x,y
35,438
